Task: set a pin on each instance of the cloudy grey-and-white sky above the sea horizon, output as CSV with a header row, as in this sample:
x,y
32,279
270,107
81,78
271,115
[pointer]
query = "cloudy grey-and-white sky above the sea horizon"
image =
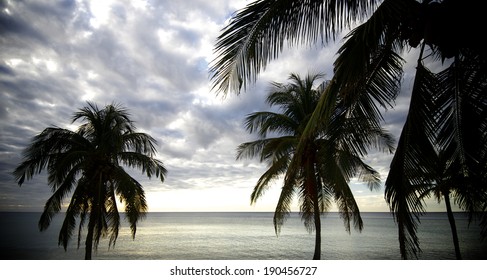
x,y
152,57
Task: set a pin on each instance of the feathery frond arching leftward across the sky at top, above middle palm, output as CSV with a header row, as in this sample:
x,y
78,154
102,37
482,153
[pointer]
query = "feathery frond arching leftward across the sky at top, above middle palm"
x,y
258,33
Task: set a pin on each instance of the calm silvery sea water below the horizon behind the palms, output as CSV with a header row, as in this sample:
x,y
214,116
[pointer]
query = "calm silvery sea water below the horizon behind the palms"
x,y
241,236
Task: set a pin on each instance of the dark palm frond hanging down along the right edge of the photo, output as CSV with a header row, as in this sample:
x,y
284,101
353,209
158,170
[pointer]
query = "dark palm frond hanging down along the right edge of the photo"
x,y
461,116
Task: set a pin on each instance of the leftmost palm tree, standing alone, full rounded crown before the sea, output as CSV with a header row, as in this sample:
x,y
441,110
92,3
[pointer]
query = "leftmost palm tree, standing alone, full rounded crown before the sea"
x,y
89,164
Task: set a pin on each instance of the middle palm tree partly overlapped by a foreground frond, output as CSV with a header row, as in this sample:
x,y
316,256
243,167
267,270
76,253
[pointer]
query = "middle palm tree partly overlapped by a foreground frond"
x,y
330,161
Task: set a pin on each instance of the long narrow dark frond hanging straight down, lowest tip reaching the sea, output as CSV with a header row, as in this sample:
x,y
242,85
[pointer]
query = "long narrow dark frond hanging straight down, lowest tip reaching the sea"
x,y
412,168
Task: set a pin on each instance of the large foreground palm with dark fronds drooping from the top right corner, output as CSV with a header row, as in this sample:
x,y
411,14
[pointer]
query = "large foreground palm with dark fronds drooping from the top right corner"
x,y
367,74
